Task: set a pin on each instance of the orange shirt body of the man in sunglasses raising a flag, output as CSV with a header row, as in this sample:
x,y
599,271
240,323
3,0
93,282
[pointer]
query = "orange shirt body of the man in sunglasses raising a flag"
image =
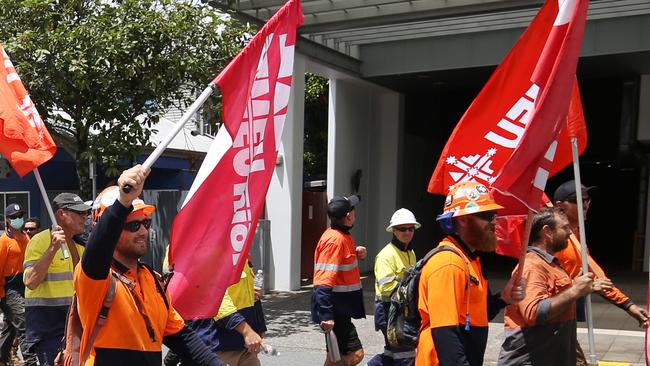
x,y
124,335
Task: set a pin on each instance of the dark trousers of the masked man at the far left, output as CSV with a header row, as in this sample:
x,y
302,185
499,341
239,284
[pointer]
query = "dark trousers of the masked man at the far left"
x,y
13,308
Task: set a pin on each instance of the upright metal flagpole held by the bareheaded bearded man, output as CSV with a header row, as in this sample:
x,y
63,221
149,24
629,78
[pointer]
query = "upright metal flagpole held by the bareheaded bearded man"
x,y
583,245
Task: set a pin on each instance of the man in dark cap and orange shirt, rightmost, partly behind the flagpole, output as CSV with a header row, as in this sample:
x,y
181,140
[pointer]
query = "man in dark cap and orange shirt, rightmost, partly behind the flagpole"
x,y
571,258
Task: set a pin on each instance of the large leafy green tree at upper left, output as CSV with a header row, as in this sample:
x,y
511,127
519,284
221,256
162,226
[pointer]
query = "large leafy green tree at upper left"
x,y
101,73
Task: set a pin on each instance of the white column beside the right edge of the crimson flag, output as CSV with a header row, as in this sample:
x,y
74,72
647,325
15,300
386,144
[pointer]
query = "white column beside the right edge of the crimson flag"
x,y
284,199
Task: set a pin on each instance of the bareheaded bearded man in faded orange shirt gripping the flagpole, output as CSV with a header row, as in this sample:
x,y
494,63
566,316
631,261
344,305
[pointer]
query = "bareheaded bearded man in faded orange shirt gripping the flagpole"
x,y
541,329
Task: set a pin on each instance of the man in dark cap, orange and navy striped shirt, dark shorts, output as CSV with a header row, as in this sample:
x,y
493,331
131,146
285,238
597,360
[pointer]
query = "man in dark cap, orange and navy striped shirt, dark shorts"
x,y
338,296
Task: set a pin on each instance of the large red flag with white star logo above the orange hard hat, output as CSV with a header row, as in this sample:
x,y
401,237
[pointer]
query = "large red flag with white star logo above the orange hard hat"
x,y
508,134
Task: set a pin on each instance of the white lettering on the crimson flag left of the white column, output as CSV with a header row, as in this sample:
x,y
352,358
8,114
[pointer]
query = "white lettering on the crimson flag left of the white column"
x,y
249,139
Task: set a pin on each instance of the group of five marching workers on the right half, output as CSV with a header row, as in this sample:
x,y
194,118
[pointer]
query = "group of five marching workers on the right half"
x,y
543,299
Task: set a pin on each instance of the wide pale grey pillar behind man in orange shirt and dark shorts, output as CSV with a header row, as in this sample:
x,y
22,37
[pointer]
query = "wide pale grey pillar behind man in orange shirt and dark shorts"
x,y
363,134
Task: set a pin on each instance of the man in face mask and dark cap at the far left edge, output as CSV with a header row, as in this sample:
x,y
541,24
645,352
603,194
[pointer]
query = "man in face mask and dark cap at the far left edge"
x,y
12,252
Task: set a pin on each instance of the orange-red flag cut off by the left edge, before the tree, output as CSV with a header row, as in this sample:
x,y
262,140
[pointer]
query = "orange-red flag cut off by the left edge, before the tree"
x,y
24,140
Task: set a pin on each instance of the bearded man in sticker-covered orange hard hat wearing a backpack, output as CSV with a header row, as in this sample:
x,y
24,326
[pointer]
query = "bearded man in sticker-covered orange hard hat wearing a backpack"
x,y
454,300
